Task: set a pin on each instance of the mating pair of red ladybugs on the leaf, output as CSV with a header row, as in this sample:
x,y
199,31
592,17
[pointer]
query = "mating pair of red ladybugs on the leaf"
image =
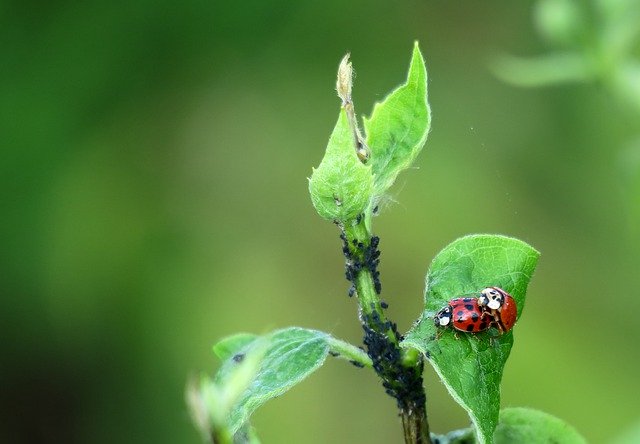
x,y
493,308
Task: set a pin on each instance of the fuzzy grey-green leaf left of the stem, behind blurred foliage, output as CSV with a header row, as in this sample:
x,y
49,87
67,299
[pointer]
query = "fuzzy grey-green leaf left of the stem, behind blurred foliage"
x,y
291,355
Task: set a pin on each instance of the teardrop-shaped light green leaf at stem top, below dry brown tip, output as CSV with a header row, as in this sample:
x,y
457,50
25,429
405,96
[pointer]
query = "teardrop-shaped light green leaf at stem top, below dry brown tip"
x,y
341,187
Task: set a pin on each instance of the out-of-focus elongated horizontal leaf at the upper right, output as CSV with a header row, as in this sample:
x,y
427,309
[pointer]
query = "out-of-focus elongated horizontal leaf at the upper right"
x,y
544,70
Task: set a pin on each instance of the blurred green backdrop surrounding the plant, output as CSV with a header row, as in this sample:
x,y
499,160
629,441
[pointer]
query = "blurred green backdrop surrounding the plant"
x,y
154,199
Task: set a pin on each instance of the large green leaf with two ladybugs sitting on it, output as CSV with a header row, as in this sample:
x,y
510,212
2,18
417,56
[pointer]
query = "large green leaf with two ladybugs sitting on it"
x,y
471,365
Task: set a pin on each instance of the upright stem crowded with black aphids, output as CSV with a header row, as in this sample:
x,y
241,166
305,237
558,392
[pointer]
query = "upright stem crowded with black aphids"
x,y
399,369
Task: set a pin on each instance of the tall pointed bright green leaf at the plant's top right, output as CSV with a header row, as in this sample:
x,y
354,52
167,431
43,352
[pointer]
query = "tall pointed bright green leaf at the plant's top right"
x,y
398,127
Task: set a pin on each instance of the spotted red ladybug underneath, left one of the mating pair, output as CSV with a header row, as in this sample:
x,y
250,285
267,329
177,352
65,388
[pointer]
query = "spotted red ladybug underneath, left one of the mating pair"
x,y
464,314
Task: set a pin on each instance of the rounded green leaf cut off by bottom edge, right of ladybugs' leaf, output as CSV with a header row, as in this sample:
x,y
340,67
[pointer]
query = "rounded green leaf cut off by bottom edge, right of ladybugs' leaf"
x,y
522,425
